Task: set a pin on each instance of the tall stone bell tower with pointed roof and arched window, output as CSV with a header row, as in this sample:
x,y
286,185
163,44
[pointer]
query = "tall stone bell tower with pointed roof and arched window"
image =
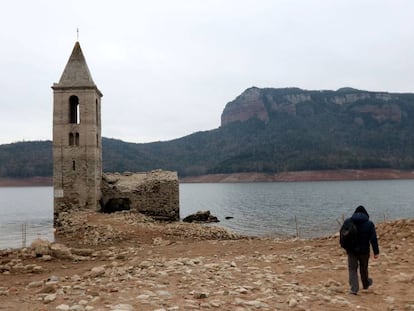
x,y
77,148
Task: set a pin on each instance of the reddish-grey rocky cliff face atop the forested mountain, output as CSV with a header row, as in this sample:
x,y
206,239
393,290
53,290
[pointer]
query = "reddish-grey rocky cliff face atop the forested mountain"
x,y
263,103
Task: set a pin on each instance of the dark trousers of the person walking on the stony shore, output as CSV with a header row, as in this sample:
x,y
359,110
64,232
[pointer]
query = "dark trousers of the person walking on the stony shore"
x,y
353,261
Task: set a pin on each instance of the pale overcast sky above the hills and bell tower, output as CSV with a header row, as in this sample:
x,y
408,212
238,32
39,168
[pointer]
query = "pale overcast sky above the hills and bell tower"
x,y
167,68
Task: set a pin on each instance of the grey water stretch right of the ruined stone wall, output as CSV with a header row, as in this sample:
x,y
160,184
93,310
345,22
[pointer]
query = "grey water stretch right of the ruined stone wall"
x,y
314,207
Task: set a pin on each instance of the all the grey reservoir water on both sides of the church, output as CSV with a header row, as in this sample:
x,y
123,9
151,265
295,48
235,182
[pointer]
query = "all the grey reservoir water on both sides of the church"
x,y
310,209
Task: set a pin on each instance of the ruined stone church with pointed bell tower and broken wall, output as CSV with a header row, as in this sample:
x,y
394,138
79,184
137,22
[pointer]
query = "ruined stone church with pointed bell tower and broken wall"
x,y
77,154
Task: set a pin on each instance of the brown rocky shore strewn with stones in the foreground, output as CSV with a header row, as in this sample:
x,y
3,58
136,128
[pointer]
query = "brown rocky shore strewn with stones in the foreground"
x,y
126,262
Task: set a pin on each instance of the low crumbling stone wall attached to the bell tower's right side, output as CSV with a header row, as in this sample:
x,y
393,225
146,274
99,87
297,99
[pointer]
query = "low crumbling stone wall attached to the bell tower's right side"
x,y
154,193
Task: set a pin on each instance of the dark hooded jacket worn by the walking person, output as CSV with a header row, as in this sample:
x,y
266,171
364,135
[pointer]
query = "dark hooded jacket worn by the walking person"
x,y
366,232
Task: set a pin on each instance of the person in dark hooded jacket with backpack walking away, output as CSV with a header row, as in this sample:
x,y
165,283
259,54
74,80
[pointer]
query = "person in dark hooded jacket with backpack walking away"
x,y
356,236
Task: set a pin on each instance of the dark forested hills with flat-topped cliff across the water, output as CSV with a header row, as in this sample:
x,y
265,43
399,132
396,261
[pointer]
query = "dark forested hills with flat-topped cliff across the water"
x,y
264,130
